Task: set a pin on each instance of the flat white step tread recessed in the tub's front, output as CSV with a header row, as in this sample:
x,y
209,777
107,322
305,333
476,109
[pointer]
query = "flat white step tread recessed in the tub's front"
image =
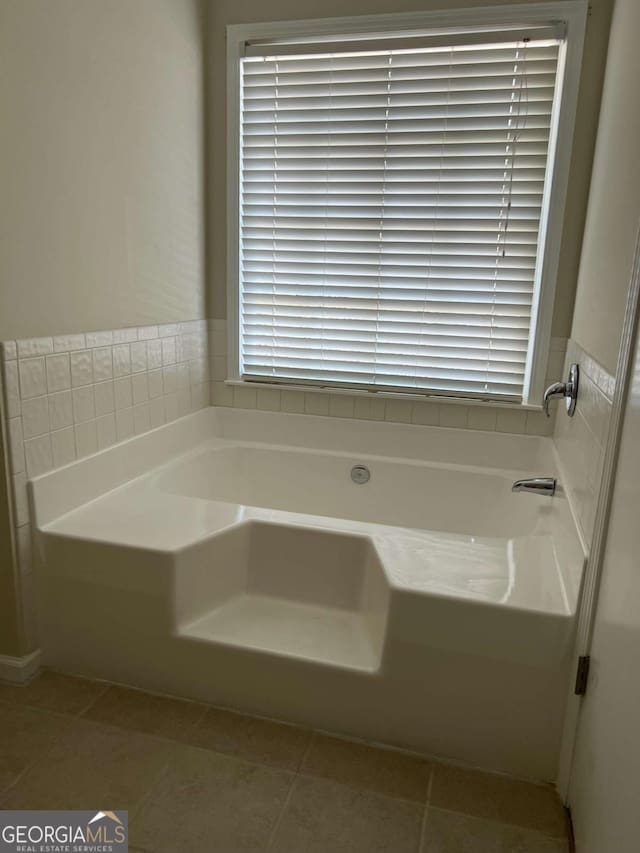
x,y
284,627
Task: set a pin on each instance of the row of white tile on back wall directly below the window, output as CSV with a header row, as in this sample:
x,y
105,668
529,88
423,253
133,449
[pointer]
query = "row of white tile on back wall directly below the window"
x,y
370,407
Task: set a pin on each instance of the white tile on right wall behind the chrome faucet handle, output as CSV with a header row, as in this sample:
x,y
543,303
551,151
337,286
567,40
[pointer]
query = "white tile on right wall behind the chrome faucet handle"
x,y
581,440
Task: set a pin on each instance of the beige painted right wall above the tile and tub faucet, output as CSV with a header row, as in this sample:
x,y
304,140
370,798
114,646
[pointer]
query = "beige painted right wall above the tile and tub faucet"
x,y
614,201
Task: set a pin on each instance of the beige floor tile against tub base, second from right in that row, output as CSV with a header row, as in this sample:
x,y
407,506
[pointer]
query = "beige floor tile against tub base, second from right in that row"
x,y
382,771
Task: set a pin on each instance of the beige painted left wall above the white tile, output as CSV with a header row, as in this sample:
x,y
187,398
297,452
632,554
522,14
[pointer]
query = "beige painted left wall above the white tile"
x,y
101,169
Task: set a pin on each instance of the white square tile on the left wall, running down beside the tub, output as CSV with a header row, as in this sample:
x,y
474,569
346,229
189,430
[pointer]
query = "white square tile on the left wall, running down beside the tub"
x,y
68,396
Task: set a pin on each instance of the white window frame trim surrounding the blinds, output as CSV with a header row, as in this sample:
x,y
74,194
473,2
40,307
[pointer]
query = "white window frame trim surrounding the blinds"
x,y
573,13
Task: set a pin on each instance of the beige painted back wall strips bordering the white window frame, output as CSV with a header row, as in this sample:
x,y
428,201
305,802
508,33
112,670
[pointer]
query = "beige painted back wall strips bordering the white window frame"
x,y
223,12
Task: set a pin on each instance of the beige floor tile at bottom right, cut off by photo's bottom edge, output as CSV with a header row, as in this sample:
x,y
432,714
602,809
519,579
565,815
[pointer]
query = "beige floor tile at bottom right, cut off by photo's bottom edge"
x,y
448,832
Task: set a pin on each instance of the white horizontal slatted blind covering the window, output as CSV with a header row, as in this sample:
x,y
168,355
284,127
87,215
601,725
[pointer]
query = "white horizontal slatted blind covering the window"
x,y
390,207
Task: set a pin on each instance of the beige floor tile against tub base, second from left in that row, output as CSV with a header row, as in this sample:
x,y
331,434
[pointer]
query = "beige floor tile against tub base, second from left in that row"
x,y
138,711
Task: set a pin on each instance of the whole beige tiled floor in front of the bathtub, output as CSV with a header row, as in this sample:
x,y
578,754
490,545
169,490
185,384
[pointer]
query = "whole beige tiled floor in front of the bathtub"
x,y
196,778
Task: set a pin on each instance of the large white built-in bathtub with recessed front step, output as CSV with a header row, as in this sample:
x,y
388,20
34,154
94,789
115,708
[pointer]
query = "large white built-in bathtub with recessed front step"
x,y
230,557
